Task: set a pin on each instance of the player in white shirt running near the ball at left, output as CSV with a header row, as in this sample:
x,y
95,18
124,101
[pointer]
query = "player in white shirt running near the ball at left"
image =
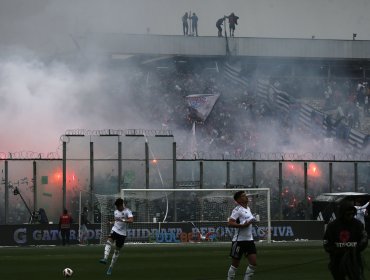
x,y
122,216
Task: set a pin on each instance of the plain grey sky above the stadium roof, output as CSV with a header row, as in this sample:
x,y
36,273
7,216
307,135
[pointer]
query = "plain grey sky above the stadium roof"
x,y
47,24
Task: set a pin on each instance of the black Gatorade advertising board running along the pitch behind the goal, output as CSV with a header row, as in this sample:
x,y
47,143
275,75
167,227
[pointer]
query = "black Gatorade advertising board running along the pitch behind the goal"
x,y
37,234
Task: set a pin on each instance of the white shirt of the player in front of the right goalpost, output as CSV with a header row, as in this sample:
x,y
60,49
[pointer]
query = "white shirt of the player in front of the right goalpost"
x,y
242,215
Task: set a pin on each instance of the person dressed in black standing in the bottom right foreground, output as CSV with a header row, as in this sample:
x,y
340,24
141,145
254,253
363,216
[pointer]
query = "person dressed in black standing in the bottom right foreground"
x,y
344,239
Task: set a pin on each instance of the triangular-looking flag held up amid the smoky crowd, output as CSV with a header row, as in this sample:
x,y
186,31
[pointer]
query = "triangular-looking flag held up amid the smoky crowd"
x,y
201,104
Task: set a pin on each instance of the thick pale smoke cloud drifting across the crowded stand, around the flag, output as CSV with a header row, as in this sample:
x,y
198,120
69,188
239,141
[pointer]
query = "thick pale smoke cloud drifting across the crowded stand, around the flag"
x,y
40,100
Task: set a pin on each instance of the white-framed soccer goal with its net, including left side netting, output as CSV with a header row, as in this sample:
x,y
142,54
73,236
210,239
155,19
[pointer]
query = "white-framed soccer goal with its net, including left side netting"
x,y
177,215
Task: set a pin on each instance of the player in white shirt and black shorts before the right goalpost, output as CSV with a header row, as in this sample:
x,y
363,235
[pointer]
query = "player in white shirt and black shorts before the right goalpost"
x,y
242,243
